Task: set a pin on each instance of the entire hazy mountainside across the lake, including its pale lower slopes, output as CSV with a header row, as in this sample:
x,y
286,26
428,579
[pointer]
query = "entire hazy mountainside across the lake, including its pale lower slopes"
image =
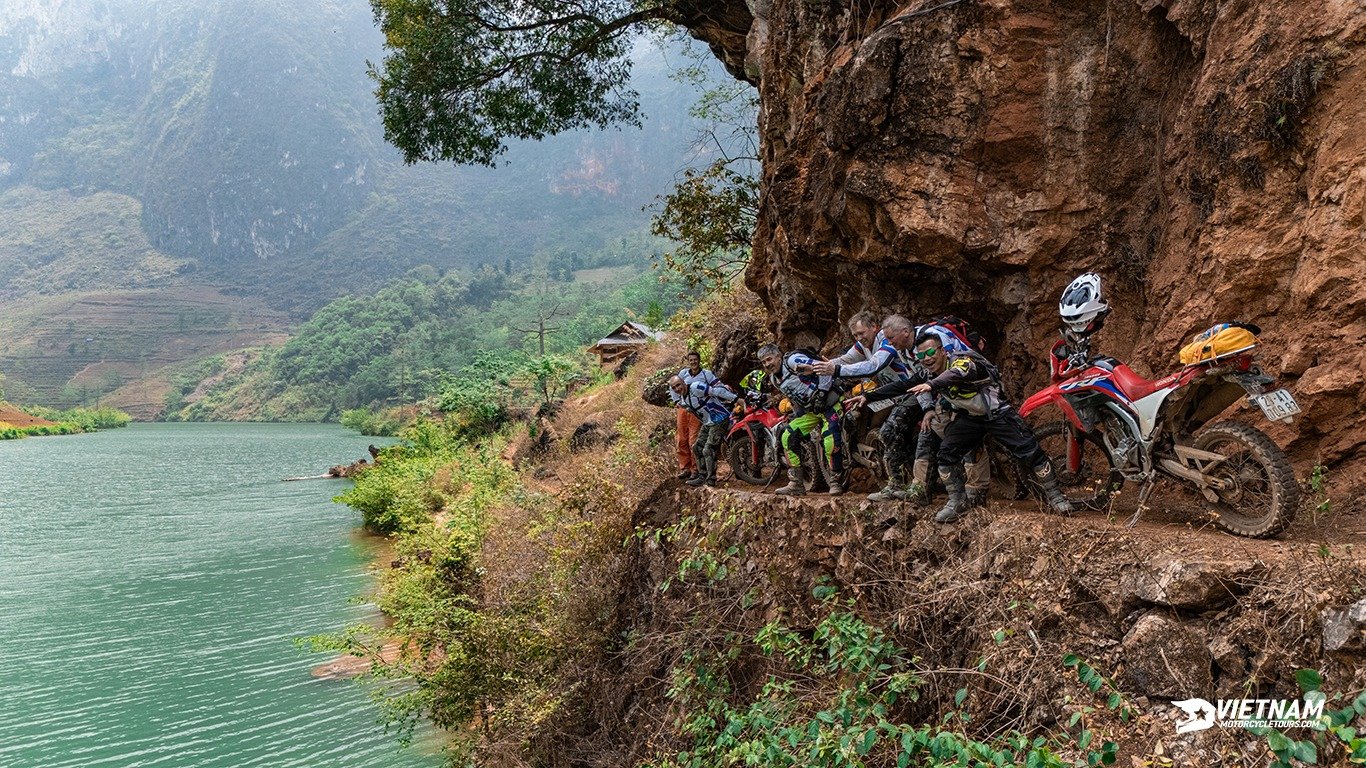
x,y
229,154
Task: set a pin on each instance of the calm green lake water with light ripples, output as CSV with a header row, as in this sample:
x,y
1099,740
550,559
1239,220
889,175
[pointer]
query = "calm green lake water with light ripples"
x,y
152,583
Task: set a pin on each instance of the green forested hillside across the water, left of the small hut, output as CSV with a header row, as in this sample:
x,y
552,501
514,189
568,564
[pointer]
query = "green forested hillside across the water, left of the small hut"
x,y
415,335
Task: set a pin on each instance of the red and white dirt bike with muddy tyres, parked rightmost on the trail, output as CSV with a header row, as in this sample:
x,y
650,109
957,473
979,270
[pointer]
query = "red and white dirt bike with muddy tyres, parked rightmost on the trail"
x,y
1121,427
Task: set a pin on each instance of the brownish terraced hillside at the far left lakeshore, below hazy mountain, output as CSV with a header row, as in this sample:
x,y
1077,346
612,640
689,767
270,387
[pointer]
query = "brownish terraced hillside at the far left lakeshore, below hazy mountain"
x,y
117,346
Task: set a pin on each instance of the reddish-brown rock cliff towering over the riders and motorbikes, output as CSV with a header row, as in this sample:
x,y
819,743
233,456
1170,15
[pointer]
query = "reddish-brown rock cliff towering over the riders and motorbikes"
x,y
1207,158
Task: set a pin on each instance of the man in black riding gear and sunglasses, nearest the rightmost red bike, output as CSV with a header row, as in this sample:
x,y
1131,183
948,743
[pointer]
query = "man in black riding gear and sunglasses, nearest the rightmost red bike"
x,y
971,386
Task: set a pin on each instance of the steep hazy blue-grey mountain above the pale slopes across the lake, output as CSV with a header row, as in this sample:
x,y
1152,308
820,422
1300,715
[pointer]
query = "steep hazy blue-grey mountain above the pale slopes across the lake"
x,y
248,132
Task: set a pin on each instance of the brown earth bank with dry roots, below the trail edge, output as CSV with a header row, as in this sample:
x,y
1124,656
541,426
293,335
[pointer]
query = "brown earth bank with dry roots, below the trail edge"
x,y
1166,612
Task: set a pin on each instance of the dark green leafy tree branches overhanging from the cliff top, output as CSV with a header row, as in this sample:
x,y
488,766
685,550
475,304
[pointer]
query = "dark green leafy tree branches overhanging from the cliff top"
x,y
464,77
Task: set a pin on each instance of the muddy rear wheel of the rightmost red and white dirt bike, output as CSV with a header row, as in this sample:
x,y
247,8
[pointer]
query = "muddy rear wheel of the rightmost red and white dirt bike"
x,y
1264,495
